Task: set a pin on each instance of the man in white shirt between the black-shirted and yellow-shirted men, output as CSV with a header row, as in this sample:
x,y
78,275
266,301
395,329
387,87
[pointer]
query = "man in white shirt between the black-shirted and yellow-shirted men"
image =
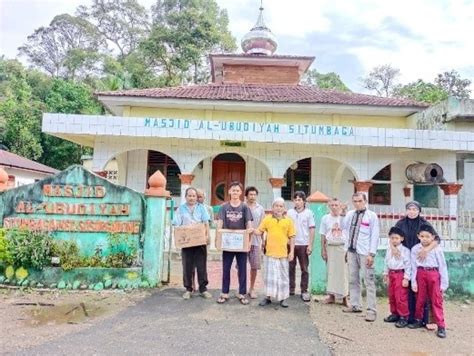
x,y
258,213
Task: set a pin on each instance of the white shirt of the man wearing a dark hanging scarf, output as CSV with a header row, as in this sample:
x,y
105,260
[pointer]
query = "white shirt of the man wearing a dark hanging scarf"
x,y
369,232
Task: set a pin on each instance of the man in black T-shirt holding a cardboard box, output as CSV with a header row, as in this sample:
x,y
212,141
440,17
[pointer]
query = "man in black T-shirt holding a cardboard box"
x,y
234,215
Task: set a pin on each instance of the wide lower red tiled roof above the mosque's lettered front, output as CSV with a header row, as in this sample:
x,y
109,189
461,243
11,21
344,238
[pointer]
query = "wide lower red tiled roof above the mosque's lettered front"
x,y
265,93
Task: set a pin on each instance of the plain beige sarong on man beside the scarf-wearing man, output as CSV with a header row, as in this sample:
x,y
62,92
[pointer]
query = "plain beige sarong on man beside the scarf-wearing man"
x,y
337,271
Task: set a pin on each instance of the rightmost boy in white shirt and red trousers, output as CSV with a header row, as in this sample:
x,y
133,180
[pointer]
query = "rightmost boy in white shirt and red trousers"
x,y
429,279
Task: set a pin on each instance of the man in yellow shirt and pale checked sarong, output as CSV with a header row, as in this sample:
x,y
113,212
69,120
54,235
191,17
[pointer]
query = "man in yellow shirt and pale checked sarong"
x,y
280,232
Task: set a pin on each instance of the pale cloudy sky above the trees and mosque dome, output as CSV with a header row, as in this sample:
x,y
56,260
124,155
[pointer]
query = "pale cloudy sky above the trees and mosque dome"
x,y
349,37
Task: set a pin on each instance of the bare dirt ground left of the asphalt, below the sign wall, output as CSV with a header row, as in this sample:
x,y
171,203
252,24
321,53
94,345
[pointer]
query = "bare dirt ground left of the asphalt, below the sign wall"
x,y
29,318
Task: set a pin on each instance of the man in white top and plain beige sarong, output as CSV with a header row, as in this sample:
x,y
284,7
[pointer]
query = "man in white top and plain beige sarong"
x,y
333,252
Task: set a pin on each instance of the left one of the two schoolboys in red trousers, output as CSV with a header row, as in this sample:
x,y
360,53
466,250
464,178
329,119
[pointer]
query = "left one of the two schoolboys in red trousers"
x,y
397,274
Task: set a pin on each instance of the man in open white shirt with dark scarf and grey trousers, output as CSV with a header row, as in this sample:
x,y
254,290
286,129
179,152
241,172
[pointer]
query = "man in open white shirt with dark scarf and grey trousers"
x,y
363,231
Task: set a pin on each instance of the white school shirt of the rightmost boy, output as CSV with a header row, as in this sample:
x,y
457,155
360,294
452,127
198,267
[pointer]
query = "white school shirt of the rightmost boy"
x,y
435,258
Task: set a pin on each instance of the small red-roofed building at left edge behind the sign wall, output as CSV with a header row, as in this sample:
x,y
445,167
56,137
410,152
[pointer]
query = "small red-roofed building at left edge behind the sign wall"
x,y
23,171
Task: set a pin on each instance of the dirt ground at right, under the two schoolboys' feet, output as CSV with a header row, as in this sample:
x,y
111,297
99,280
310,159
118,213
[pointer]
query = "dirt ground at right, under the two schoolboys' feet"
x,y
349,334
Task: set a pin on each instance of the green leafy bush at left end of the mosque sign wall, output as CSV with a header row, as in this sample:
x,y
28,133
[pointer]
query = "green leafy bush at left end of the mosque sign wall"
x,y
29,248
